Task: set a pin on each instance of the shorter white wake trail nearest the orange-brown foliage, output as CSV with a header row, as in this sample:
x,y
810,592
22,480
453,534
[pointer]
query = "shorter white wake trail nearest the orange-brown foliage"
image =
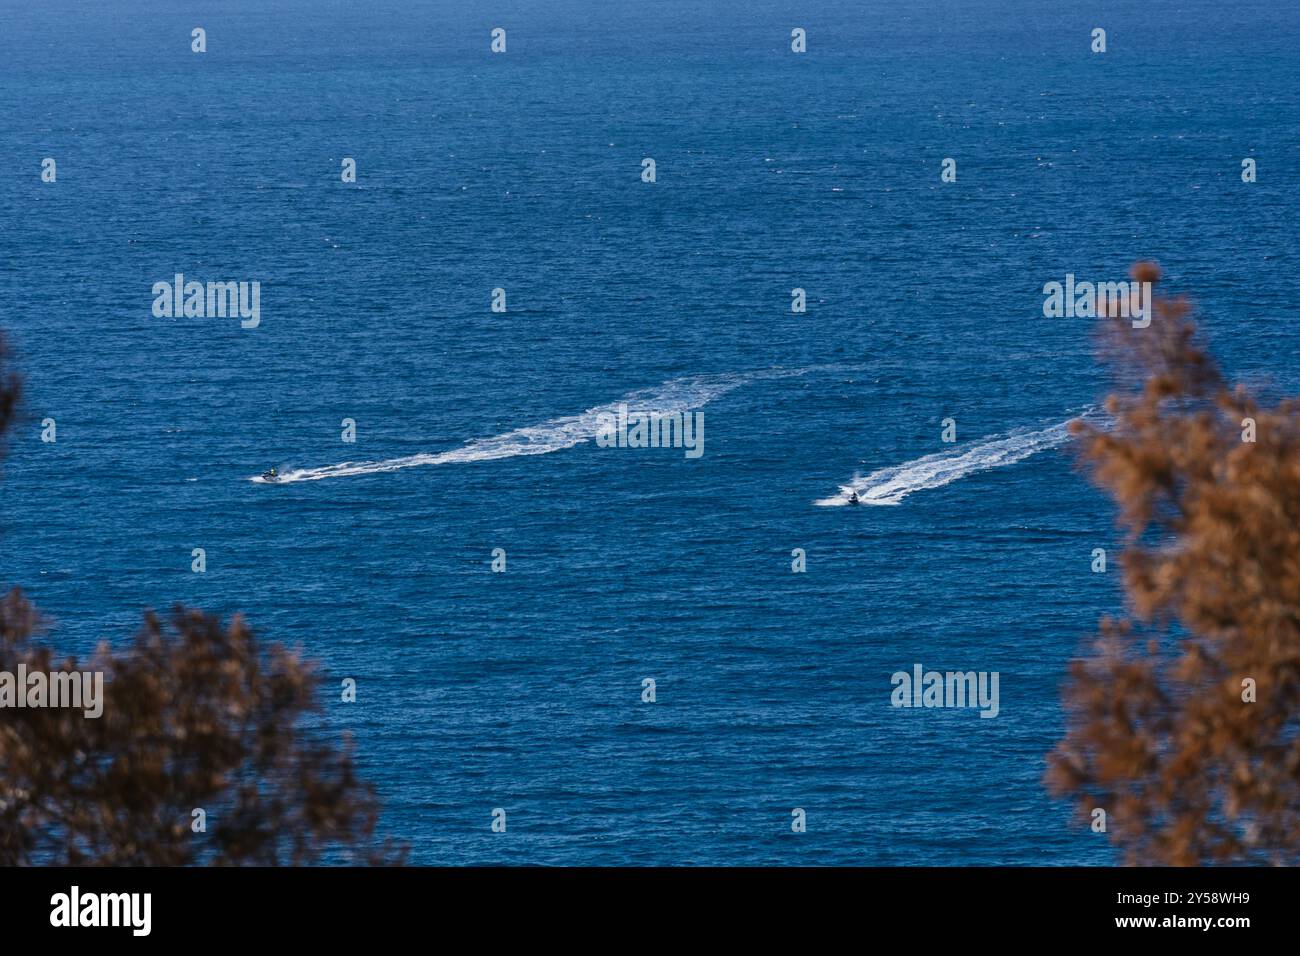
x,y
891,486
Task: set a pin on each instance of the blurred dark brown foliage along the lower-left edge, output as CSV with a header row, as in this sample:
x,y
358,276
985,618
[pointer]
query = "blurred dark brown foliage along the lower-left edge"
x,y
197,715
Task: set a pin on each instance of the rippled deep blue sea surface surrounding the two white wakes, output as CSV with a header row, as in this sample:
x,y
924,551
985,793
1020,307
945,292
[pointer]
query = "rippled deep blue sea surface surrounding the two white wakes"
x,y
523,172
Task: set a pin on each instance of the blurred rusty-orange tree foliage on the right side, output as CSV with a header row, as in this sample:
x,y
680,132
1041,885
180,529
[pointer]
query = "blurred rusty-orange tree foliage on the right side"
x,y
1184,723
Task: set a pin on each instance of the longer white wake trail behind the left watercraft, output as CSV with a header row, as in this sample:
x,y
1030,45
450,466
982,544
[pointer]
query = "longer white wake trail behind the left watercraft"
x,y
678,395
